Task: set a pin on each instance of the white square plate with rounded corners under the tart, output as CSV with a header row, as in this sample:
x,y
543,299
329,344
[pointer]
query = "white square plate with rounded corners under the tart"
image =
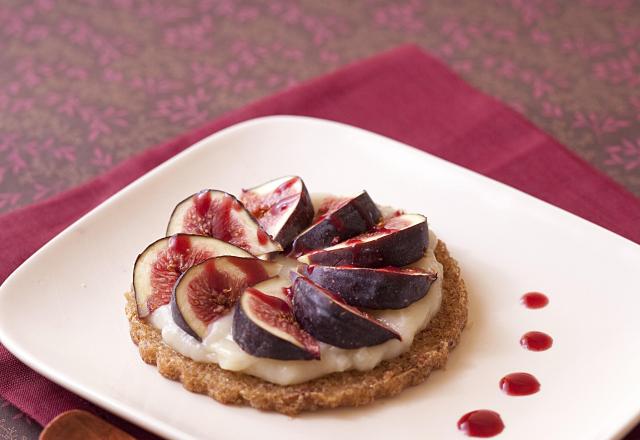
x,y
62,311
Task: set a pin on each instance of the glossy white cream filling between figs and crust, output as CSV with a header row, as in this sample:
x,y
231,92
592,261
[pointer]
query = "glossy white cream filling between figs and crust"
x,y
220,348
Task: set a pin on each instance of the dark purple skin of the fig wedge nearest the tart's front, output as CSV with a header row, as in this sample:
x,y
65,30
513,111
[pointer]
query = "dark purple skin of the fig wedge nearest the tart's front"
x,y
258,342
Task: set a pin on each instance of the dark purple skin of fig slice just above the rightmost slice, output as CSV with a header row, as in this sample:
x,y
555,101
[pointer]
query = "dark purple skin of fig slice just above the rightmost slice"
x,y
395,248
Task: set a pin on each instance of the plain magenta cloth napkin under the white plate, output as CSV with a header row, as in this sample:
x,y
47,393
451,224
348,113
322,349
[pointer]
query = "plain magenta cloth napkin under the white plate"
x,y
404,94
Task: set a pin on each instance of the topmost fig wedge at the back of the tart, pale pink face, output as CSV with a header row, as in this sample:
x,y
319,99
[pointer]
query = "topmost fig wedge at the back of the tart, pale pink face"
x,y
282,207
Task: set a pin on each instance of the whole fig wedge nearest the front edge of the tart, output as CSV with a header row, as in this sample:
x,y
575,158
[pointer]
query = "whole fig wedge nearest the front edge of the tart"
x,y
264,326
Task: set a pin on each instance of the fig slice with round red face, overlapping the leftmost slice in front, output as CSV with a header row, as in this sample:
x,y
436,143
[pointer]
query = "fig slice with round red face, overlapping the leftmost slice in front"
x,y
209,290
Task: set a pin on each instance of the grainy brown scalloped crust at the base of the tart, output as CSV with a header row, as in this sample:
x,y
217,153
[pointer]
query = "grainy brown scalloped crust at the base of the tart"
x,y
429,351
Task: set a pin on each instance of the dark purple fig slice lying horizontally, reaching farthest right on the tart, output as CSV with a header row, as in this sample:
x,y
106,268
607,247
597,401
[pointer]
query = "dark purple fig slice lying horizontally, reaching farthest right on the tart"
x,y
383,288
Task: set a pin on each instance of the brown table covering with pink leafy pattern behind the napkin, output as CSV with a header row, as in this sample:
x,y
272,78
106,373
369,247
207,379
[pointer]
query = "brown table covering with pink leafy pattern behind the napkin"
x,y
87,84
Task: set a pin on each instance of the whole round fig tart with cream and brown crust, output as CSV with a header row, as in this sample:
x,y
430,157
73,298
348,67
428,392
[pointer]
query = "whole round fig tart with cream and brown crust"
x,y
289,302
